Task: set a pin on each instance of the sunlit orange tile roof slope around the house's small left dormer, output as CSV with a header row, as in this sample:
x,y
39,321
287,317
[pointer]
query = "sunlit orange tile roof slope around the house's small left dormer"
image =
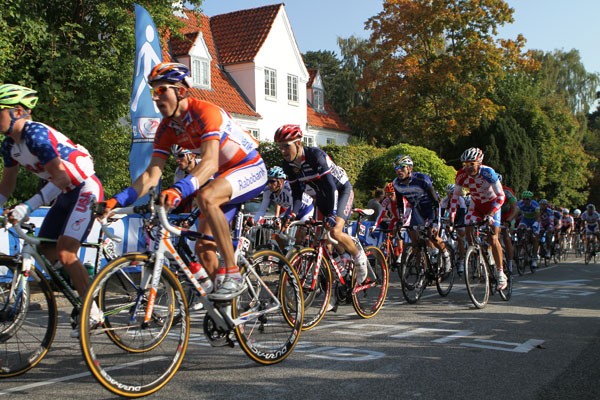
x,y
223,91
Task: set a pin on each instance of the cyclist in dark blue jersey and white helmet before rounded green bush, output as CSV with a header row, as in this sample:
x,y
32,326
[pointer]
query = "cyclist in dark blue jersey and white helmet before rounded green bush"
x,y
419,204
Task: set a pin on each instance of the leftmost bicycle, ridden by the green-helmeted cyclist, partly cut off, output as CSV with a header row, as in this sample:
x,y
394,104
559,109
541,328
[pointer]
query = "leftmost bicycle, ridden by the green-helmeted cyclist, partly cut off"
x,y
28,308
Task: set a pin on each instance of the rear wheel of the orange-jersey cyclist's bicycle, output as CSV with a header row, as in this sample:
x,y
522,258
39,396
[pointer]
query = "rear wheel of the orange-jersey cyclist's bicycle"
x,y
272,309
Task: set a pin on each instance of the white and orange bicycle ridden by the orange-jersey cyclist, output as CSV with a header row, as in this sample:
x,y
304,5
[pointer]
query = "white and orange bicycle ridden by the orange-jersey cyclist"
x,y
141,344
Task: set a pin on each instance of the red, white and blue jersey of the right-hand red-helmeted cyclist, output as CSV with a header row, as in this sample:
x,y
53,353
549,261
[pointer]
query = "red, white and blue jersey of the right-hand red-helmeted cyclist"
x,y
484,187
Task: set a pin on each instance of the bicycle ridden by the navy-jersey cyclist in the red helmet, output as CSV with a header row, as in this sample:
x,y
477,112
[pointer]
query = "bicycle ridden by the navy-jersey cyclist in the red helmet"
x,y
324,274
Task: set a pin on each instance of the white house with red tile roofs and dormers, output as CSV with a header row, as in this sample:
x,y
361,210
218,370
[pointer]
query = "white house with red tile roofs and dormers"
x,y
248,62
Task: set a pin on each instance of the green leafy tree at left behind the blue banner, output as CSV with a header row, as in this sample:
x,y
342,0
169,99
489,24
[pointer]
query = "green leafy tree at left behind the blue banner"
x,y
79,56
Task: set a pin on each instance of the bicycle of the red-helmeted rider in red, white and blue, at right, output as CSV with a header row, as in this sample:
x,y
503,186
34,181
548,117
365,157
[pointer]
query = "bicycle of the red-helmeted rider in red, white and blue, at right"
x,y
480,269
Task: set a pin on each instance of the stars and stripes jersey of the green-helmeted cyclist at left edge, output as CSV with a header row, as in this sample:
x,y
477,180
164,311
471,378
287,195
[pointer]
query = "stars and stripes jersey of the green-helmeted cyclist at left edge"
x,y
39,144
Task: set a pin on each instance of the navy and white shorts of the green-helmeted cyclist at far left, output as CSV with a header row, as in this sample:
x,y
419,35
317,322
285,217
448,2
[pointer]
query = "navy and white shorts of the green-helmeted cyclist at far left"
x,y
71,214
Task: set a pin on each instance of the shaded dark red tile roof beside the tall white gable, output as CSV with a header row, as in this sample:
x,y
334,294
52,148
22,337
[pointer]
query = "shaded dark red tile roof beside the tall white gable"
x,y
239,35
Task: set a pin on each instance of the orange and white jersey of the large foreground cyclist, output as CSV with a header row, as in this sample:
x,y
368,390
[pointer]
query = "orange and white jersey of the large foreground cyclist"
x,y
204,121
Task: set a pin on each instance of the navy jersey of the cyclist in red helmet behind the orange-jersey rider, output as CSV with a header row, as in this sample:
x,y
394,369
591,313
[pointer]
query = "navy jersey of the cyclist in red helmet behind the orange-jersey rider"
x,y
317,174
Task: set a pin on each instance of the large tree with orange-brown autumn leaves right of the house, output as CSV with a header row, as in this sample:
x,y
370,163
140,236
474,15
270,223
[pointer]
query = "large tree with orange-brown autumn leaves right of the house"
x,y
435,64
